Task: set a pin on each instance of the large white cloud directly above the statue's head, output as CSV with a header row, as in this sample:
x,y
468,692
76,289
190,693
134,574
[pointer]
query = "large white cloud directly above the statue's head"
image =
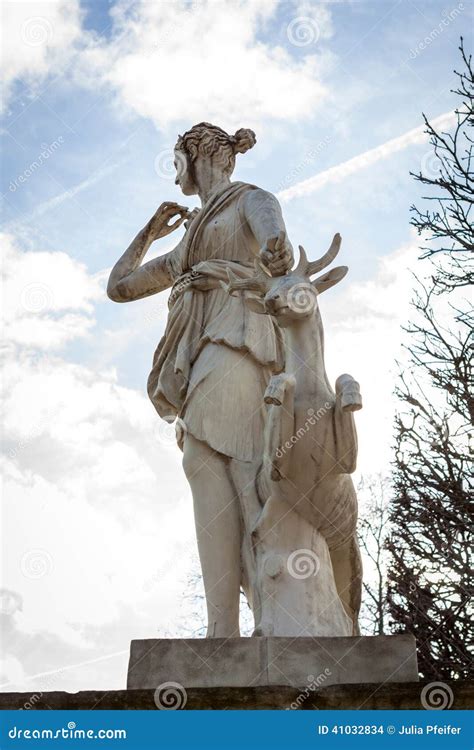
x,y
187,62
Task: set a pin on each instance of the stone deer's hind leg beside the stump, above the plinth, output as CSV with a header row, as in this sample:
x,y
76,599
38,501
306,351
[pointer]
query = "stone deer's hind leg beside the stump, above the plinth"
x,y
347,567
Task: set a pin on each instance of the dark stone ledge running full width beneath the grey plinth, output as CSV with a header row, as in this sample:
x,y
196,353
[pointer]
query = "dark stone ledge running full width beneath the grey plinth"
x,y
401,696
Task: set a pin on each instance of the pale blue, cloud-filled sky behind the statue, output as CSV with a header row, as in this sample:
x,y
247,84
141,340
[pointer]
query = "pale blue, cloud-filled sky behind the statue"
x,y
104,88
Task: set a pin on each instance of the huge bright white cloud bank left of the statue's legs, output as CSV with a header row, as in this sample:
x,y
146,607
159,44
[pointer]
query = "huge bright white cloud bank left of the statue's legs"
x,y
97,516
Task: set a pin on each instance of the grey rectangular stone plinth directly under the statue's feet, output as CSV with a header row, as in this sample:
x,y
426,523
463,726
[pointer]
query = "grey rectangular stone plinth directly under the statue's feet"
x,y
272,661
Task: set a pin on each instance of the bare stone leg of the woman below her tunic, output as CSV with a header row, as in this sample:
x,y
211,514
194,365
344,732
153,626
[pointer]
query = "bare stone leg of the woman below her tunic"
x,y
217,517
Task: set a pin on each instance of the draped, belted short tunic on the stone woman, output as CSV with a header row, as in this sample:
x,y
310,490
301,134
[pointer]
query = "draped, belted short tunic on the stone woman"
x,y
213,362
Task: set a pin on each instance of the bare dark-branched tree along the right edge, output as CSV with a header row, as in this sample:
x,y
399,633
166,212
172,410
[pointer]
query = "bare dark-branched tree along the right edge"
x,y
430,571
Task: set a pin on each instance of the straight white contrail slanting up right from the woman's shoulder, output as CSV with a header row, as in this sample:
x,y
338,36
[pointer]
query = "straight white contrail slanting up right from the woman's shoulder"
x,y
341,171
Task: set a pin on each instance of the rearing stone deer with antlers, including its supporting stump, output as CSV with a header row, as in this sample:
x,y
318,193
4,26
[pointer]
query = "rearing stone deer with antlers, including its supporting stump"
x,y
307,565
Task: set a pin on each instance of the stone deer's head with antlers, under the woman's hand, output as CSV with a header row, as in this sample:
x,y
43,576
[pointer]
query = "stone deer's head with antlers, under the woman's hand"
x,y
294,296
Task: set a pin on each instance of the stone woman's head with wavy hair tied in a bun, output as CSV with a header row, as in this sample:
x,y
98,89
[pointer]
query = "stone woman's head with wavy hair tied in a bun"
x,y
208,146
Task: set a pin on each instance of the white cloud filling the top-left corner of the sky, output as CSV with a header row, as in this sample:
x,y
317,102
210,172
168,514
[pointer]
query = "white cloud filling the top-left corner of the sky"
x,y
37,39
